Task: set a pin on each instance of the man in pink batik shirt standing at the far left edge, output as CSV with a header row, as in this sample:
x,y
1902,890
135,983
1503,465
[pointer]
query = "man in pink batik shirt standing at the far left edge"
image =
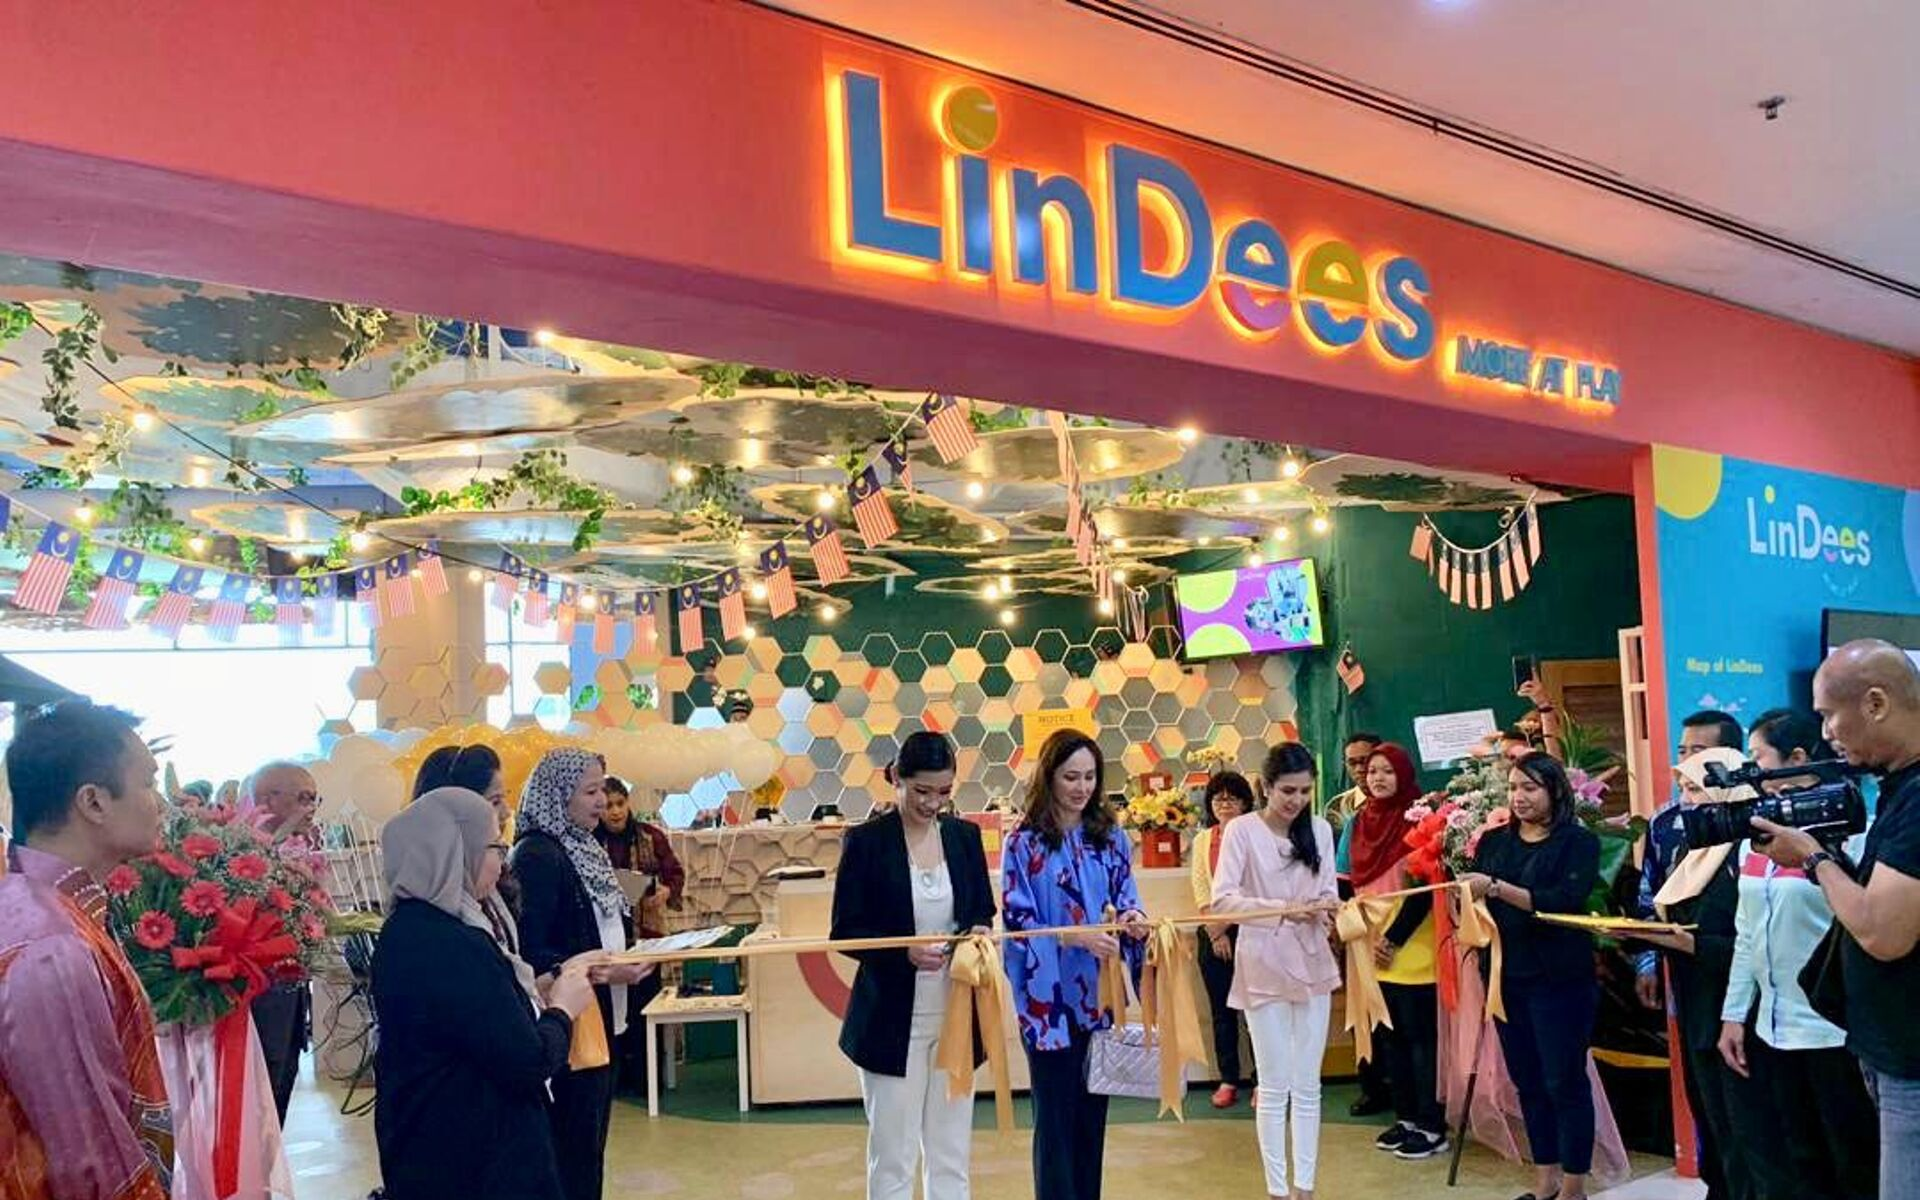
x,y
84,1105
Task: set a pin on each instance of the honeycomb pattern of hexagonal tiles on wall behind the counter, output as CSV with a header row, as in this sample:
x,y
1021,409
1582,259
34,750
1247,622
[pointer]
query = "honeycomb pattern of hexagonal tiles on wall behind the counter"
x,y
840,706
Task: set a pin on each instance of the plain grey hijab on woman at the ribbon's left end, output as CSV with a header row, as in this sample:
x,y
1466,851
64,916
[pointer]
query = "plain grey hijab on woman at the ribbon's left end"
x,y
433,852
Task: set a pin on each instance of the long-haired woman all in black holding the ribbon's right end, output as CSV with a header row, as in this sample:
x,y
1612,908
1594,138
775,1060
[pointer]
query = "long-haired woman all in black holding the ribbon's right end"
x,y
1545,861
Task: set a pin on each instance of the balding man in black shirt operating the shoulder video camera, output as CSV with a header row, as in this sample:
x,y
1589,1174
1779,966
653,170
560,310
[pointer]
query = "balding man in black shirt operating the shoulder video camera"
x,y
1869,702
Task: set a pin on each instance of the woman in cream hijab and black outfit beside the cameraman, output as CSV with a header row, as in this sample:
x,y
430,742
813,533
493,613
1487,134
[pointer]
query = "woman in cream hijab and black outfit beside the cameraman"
x,y
1737,1130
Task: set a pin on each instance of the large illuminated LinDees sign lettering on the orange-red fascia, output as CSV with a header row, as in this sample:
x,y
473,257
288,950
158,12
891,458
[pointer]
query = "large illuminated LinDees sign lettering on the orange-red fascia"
x,y
1093,241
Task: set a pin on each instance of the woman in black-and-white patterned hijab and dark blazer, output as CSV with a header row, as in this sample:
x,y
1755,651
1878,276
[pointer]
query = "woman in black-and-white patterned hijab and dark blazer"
x,y
571,905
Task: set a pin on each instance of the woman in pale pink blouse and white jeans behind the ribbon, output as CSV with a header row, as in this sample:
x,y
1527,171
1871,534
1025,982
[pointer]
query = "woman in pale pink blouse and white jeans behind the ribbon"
x,y
1284,971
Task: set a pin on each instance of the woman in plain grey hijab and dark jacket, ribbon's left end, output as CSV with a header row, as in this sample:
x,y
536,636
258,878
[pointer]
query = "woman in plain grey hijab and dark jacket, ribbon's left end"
x,y
464,1059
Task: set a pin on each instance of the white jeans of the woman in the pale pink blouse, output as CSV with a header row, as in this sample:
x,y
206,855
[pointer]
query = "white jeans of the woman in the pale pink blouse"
x,y
1289,1044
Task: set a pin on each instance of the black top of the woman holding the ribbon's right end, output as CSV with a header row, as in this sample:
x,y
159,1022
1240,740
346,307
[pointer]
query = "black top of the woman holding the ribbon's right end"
x,y
1560,873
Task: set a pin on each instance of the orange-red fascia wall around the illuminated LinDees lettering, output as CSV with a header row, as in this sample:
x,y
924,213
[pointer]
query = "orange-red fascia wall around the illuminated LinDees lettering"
x,y
658,174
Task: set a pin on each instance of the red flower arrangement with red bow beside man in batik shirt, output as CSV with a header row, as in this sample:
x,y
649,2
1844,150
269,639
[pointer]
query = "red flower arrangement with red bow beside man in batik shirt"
x,y
218,915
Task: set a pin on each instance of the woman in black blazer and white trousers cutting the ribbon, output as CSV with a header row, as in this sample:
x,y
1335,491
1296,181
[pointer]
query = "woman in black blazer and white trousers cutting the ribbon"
x,y
911,873
